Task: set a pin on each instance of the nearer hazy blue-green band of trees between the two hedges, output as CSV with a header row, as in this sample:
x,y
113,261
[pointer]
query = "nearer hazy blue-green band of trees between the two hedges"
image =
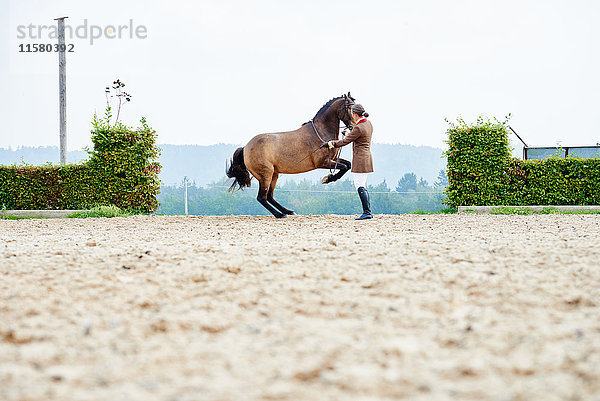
x,y
306,197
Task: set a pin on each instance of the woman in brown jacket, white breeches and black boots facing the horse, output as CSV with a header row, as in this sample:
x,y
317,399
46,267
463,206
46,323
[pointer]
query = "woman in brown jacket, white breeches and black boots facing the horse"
x,y
362,161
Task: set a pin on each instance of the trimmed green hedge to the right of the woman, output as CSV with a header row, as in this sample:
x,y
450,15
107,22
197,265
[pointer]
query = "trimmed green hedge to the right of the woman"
x,y
481,171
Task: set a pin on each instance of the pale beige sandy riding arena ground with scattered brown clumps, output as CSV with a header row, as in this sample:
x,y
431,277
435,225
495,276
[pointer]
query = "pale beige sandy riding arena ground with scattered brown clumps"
x,y
309,308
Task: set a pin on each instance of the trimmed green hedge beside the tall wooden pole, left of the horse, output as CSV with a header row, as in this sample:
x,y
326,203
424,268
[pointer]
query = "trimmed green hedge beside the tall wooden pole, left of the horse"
x,y
120,171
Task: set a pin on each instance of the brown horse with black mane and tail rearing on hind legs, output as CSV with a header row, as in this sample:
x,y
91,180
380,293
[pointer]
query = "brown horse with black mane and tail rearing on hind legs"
x,y
292,152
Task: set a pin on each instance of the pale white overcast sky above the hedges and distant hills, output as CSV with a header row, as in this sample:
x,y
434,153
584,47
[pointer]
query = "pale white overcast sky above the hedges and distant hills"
x,y
223,71
